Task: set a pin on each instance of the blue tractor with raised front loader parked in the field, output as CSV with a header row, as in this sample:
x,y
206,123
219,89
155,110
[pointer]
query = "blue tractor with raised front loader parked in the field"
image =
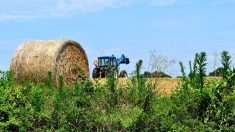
x,y
108,65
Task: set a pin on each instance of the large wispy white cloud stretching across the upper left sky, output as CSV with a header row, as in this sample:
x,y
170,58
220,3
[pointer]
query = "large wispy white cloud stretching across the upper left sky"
x,y
28,9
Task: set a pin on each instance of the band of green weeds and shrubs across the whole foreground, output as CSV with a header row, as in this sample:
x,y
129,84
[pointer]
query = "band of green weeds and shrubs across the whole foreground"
x,y
197,105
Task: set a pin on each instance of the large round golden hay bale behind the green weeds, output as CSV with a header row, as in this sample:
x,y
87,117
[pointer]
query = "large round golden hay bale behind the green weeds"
x,y
34,59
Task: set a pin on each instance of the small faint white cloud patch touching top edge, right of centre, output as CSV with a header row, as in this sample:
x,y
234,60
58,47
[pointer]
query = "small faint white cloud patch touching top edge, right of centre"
x,y
168,2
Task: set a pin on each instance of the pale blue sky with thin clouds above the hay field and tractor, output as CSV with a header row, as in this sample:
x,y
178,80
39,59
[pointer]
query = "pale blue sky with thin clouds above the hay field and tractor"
x,y
176,29
